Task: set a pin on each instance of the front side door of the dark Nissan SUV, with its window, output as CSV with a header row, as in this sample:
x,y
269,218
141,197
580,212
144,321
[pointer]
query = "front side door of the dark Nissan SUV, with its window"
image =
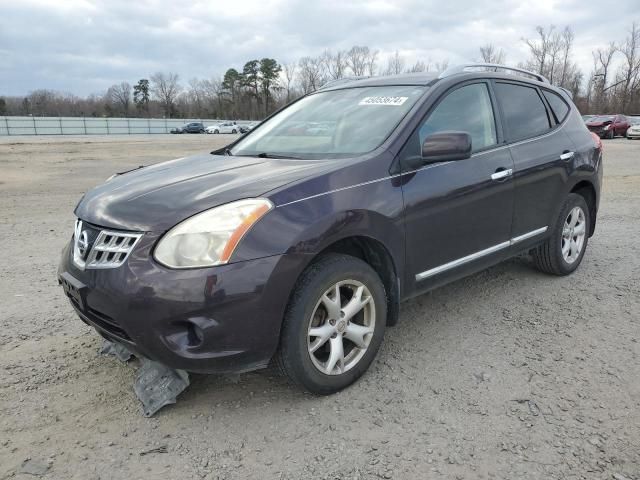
x,y
458,214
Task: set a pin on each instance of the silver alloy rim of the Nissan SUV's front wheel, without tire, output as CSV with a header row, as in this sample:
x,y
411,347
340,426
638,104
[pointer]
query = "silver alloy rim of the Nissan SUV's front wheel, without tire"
x,y
341,327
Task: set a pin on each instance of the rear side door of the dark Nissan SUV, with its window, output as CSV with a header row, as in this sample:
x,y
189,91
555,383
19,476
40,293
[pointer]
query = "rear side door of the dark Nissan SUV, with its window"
x,y
542,154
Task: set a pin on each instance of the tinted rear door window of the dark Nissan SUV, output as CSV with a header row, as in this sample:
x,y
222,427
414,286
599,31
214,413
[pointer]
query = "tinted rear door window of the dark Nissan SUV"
x,y
524,113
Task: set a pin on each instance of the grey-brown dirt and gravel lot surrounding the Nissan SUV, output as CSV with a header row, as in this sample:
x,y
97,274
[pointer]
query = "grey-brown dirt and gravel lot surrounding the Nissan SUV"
x,y
507,374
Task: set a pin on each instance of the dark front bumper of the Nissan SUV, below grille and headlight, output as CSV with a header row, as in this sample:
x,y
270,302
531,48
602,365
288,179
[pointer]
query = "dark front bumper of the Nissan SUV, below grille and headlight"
x,y
213,320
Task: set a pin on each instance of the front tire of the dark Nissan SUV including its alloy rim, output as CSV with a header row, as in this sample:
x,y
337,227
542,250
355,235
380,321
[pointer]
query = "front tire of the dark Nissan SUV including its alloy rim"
x,y
334,324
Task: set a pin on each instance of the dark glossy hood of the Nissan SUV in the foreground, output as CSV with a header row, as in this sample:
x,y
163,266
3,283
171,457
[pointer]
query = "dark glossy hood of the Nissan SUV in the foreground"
x,y
157,197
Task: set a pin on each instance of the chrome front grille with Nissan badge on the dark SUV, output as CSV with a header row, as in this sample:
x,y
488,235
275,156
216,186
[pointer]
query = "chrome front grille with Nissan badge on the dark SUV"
x,y
97,248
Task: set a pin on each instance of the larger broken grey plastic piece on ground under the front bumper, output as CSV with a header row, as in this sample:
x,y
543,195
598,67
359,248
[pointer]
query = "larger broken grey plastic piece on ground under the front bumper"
x,y
158,385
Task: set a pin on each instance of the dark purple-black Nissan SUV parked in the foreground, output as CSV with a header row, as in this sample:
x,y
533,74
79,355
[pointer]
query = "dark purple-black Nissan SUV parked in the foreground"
x,y
297,250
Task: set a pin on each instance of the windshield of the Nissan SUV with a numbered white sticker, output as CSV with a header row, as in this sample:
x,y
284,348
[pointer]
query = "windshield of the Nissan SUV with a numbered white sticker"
x,y
333,124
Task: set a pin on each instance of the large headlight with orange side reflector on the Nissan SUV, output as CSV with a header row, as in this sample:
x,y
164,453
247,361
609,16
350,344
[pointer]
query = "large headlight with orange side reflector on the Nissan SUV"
x,y
209,238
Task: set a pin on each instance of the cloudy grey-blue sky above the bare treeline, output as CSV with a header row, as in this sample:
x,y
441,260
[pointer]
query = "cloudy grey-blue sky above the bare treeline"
x,y
84,46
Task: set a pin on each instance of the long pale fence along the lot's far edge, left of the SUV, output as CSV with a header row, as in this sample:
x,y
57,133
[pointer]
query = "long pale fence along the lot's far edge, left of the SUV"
x,y
92,126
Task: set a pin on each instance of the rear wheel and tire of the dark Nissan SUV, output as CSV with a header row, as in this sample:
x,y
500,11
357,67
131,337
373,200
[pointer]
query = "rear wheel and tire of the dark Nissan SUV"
x,y
563,251
